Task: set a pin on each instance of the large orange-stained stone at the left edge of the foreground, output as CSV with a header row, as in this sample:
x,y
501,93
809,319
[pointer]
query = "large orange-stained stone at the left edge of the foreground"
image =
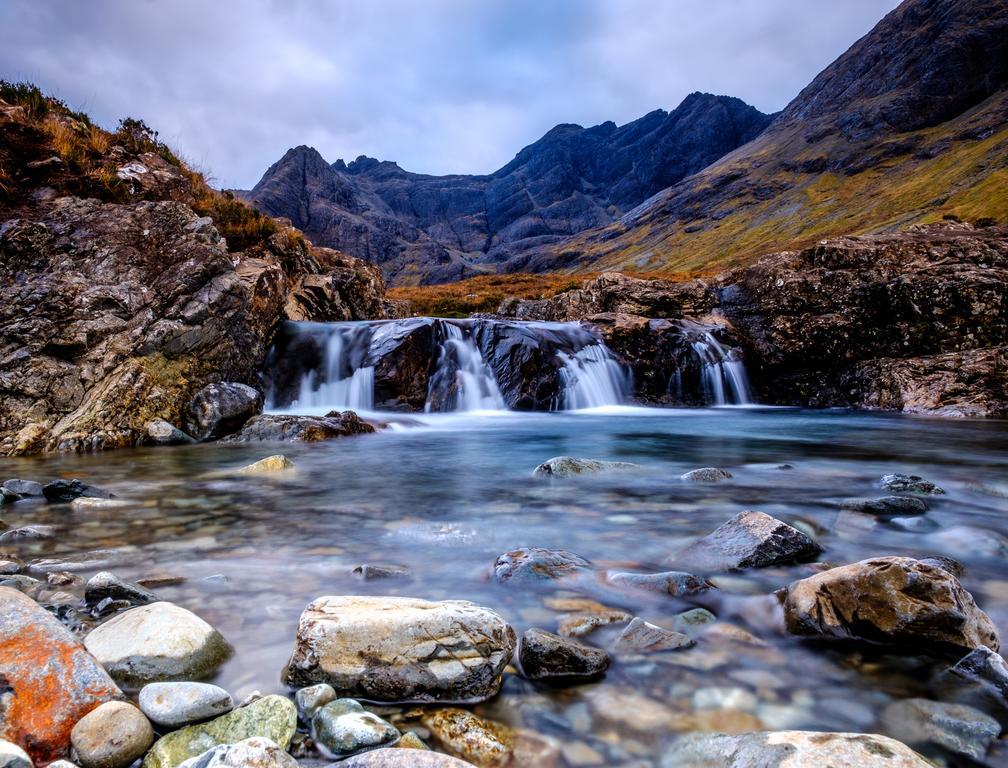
x,y
51,682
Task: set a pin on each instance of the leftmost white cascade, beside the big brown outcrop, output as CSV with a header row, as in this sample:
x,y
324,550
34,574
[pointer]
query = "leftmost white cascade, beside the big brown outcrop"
x,y
341,386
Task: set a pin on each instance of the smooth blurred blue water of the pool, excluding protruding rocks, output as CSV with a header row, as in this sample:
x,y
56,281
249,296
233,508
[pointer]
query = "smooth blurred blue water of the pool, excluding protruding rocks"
x,y
447,495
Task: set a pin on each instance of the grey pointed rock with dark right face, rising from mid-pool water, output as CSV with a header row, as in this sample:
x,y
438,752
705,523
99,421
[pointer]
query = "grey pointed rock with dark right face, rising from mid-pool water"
x,y
749,541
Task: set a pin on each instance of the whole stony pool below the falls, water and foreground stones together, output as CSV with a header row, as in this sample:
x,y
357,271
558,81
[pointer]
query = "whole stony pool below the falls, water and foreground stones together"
x,y
732,587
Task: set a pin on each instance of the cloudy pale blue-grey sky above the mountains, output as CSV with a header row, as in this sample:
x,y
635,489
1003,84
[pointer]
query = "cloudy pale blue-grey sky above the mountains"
x,y
438,86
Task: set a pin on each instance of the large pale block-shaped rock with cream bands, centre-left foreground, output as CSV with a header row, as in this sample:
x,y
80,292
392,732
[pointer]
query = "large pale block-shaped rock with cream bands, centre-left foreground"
x,y
416,651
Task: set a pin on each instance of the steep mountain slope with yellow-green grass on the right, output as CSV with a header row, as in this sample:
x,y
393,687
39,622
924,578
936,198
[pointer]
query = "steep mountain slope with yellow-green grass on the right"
x,y
909,126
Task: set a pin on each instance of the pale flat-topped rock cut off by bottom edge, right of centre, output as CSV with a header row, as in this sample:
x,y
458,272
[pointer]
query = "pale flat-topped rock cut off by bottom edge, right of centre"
x,y
791,749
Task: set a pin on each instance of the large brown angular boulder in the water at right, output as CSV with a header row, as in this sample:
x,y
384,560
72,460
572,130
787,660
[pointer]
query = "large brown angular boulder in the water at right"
x,y
890,600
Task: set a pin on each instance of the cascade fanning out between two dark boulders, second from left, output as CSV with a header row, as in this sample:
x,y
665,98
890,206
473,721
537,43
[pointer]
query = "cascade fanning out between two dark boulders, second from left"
x,y
462,372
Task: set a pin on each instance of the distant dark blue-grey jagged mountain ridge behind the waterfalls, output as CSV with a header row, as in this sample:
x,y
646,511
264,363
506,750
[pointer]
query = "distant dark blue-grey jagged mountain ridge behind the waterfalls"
x,y
437,229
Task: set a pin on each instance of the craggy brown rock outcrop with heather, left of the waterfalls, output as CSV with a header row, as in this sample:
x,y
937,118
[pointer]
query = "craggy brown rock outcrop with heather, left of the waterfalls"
x,y
119,307
